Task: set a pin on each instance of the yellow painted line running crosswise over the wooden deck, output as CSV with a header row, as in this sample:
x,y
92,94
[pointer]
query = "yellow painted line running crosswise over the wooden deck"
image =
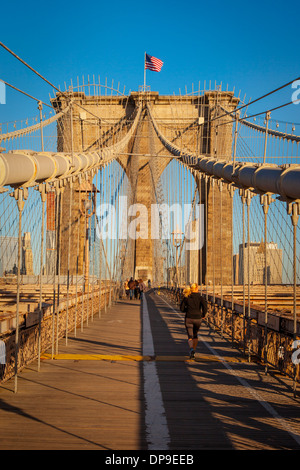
x,y
136,358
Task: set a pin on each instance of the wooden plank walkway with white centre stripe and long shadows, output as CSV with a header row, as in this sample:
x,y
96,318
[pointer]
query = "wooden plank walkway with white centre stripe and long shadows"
x,y
126,383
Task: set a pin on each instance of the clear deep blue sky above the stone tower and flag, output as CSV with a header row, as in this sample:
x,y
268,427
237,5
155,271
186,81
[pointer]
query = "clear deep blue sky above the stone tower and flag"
x,y
253,47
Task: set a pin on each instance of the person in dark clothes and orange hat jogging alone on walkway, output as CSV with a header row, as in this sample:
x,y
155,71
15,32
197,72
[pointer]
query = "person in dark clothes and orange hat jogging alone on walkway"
x,y
195,308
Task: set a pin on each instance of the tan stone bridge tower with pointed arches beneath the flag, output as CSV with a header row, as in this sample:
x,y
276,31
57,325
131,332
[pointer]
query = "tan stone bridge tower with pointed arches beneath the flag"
x,y
94,128
